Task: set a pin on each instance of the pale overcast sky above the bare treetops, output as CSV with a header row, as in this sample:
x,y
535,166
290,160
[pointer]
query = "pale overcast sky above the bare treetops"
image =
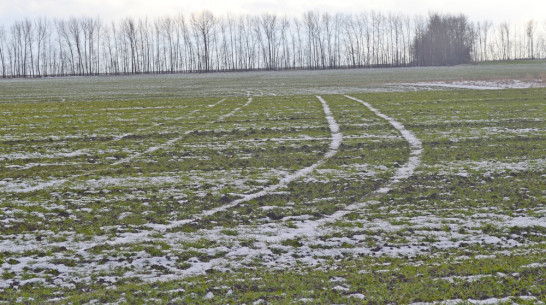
x,y
494,10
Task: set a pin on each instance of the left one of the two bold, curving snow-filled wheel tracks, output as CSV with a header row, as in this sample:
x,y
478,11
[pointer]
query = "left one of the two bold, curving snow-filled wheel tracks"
x,y
337,138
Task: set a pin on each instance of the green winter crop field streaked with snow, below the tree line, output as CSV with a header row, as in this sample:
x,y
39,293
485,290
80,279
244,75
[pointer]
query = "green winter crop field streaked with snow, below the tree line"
x,y
411,185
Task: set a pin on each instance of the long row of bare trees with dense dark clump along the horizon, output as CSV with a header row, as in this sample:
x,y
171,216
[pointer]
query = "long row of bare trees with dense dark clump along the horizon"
x,y
203,42
